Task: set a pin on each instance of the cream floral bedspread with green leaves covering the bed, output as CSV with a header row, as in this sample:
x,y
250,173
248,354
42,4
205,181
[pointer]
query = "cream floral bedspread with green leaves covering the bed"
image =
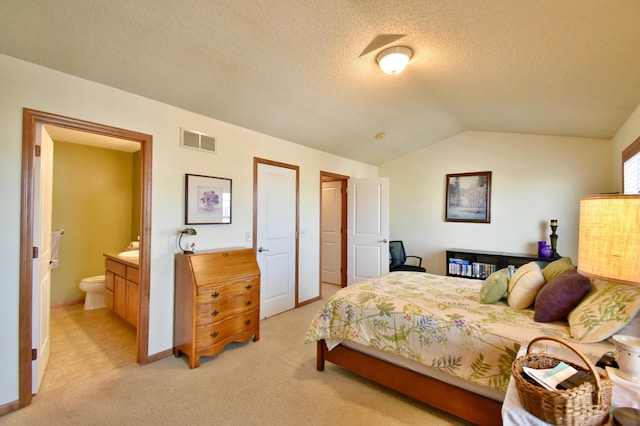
x,y
435,320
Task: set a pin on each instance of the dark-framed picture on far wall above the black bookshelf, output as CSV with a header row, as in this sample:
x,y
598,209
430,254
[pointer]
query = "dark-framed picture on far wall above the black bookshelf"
x,y
468,197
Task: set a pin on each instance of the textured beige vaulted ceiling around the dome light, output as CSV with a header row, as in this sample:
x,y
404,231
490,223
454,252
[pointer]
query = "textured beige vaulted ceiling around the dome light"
x,y
292,69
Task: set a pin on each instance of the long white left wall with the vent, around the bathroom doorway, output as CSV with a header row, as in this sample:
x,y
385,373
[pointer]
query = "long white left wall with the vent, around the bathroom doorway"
x,y
24,85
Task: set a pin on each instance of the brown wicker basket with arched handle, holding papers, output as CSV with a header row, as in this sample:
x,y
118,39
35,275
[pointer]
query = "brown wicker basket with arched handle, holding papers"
x,y
582,405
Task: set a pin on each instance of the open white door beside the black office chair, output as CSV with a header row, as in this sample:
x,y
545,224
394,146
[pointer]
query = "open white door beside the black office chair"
x,y
368,228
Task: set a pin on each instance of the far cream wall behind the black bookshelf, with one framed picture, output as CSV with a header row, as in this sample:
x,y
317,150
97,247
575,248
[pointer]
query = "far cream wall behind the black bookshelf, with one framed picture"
x,y
534,179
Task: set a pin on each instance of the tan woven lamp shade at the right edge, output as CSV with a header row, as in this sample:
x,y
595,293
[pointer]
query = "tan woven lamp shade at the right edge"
x,y
609,238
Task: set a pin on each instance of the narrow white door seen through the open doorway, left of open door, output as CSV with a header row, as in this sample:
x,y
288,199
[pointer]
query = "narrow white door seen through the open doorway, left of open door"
x,y
331,233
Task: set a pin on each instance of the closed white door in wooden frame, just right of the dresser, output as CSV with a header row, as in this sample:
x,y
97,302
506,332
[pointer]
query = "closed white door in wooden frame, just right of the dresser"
x,y
276,238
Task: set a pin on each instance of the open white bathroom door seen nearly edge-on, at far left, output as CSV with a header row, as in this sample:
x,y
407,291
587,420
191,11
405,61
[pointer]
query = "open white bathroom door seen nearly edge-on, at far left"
x,y
41,299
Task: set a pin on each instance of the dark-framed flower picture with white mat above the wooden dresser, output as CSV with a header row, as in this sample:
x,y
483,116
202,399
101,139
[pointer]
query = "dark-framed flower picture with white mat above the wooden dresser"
x,y
207,200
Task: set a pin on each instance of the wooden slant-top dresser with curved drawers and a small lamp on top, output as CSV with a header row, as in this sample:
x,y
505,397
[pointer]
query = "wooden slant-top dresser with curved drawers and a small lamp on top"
x,y
217,301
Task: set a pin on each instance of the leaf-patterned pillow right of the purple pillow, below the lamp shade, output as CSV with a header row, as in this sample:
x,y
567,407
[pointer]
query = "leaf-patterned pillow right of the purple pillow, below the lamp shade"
x,y
606,309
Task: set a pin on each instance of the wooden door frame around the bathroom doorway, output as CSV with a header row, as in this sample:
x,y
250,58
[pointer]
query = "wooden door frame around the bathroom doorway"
x,y
30,119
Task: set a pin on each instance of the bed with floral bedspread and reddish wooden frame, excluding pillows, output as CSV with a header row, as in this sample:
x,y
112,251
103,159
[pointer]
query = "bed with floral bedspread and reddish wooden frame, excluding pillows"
x,y
429,337
